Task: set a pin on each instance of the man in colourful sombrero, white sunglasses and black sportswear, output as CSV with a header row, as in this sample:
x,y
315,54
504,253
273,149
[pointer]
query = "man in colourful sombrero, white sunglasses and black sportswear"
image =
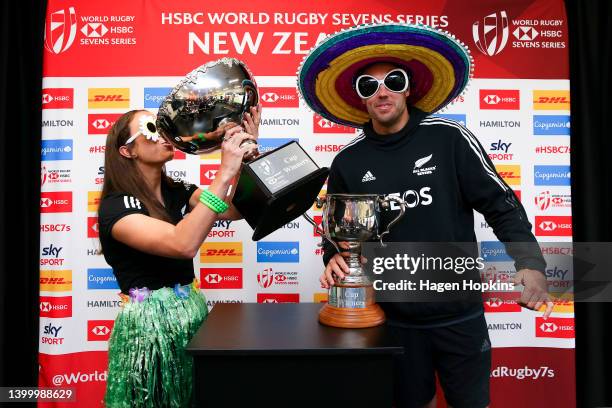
x,y
443,172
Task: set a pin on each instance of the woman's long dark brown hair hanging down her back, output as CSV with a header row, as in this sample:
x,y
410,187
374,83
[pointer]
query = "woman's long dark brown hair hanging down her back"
x,y
122,175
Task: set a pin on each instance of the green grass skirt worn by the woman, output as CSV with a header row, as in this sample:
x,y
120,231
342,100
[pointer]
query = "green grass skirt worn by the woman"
x,y
147,362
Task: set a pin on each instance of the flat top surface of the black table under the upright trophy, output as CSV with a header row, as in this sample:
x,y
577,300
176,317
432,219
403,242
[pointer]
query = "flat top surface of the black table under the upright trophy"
x,y
281,329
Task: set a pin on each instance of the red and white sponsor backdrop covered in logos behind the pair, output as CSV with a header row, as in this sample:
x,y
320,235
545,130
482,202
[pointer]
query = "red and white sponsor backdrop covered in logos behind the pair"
x,y
104,59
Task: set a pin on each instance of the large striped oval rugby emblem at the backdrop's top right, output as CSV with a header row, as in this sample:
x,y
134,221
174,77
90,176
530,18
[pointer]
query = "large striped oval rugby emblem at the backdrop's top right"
x,y
491,35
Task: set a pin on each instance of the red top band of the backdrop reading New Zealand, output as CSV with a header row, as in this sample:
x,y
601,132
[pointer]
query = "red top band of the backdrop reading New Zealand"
x,y
518,39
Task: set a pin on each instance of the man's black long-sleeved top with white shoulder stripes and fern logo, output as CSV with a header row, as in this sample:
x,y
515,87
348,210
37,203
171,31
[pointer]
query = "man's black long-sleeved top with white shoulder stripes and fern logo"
x,y
443,173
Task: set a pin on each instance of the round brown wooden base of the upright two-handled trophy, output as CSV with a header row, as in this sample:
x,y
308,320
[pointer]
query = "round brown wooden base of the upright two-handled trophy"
x,y
348,318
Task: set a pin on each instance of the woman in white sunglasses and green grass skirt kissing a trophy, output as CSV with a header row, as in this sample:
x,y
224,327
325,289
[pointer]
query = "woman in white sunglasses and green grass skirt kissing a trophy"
x,y
151,227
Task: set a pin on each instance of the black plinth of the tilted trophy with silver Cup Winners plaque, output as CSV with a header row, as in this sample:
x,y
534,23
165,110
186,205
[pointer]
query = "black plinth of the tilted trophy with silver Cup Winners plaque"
x,y
277,187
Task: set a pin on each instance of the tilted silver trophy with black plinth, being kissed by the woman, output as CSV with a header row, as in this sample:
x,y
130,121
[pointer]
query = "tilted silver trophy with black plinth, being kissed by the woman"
x,y
273,188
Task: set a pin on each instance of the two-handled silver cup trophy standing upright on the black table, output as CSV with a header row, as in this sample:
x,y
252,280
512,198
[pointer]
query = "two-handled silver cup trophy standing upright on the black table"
x,y
353,218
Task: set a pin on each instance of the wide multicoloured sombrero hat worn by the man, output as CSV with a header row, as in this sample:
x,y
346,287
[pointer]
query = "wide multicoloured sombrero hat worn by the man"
x,y
439,64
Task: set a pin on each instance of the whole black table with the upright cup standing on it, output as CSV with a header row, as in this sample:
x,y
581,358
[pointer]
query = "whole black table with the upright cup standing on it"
x,y
278,355
